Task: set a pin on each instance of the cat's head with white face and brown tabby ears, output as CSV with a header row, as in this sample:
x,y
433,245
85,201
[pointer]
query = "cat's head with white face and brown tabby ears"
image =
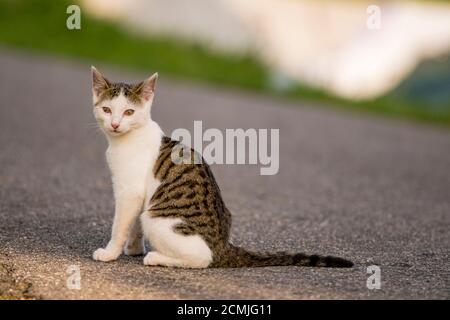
x,y
119,107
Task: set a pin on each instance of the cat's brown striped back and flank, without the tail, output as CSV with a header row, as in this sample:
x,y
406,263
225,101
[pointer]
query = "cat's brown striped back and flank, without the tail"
x,y
188,190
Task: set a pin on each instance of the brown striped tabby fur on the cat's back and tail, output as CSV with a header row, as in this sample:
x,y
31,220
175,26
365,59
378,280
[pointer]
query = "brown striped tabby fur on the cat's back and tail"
x,y
190,192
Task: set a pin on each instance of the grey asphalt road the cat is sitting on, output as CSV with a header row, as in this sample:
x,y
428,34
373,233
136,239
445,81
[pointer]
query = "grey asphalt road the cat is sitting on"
x,y
376,191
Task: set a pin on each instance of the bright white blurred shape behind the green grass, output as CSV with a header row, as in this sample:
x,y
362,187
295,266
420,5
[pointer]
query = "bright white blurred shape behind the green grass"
x,y
325,44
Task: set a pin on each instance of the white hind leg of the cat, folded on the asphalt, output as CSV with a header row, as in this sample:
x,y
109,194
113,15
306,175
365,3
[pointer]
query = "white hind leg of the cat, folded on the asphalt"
x,y
172,249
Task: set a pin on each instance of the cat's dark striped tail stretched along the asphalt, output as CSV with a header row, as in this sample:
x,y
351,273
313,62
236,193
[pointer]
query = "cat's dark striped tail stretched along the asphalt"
x,y
236,257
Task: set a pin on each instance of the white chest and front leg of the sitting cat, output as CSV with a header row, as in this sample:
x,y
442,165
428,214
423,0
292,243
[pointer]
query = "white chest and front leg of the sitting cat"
x,y
131,158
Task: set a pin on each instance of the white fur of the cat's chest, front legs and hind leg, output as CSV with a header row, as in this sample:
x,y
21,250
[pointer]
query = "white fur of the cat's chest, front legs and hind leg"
x,y
131,159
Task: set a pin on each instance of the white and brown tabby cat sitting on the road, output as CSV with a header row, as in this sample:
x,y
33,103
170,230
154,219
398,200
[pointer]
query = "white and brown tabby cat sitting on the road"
x,y
176,206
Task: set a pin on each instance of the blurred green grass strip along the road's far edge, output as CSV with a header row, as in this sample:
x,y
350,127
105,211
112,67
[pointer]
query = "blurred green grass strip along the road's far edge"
x,y
40,26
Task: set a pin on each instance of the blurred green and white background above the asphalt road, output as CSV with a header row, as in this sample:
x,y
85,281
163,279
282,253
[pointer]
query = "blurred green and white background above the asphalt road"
x,y
386,57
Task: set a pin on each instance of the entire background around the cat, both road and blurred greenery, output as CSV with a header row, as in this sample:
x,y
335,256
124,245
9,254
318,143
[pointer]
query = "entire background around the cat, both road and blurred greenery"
x,y
329,75
